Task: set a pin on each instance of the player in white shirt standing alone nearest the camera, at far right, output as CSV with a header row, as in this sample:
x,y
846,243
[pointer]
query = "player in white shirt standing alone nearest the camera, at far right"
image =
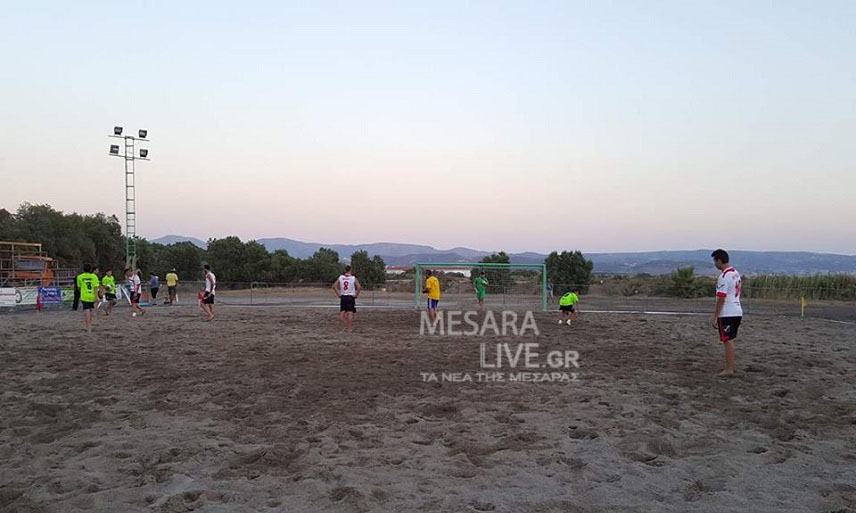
x,y
728,312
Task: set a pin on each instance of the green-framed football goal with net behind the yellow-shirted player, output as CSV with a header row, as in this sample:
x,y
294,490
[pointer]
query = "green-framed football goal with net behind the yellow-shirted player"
x,y
521,285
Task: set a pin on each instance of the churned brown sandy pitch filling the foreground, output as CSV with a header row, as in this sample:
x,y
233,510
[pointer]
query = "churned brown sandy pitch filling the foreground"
x,y
272,409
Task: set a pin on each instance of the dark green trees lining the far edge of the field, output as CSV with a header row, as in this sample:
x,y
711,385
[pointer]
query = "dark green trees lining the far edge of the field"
x,y
75,239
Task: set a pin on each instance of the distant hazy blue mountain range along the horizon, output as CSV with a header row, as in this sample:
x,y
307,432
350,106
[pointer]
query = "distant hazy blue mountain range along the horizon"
x,y
649,262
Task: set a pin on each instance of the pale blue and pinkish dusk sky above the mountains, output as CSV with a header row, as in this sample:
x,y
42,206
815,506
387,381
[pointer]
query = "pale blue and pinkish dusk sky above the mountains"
x,y
601,126
